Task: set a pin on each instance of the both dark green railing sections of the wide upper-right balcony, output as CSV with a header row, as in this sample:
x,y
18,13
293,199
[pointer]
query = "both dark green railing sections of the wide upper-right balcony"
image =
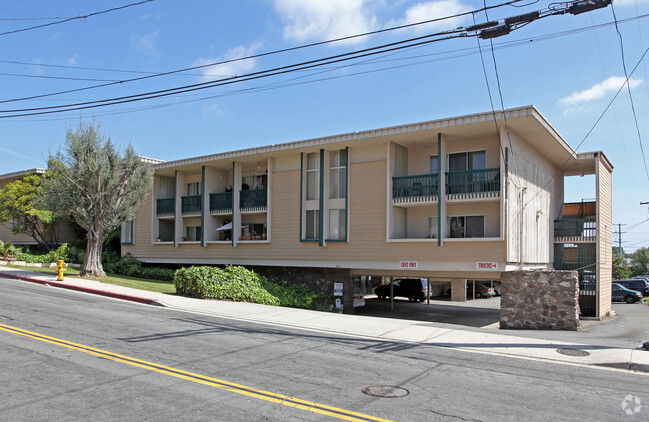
x,y
460,185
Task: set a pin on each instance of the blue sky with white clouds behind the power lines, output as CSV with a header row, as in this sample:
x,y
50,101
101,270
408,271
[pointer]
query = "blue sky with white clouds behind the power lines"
x,y
568,66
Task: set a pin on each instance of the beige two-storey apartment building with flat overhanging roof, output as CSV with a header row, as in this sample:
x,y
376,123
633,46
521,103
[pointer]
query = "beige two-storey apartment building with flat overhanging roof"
x,y
451,200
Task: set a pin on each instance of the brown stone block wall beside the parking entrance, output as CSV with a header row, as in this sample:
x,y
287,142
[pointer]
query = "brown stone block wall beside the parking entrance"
x,y
540,300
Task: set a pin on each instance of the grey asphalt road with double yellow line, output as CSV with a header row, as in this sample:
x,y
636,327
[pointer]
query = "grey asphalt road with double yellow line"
x,y
106,359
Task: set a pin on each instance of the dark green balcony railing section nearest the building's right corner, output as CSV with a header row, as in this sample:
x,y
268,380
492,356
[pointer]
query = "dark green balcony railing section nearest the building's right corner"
x,y
470,184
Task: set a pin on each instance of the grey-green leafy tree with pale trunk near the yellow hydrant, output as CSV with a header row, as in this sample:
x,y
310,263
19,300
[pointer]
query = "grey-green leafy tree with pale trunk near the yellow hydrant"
x,y
99,187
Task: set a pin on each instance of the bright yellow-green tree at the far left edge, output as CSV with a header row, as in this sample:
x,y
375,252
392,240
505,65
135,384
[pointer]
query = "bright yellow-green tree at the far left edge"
x,y
19,202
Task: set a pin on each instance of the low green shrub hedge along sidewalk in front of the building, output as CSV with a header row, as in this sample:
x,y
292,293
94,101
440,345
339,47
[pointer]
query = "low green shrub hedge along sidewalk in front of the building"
x,y
242,285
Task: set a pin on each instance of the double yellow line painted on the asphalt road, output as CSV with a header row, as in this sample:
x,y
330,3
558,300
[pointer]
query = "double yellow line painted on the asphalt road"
x,y
322,409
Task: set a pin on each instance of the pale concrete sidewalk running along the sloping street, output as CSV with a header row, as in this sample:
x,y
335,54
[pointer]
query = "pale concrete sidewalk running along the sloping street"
x,y
389,330
